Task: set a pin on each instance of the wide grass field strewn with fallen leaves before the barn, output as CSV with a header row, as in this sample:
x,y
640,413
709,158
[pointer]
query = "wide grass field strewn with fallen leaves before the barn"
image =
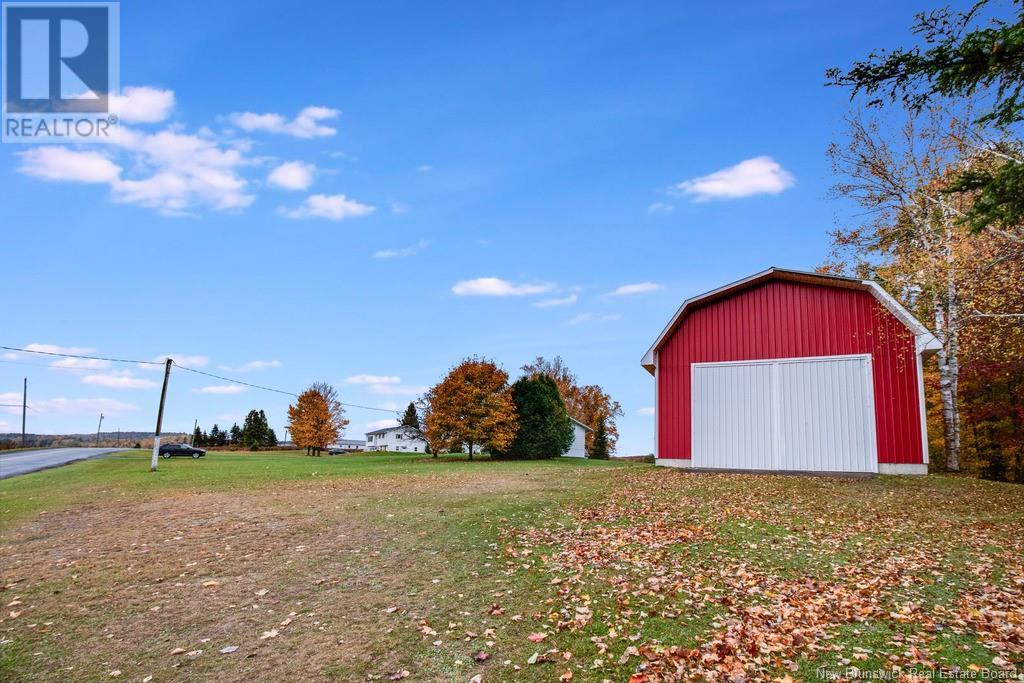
x,y
395,567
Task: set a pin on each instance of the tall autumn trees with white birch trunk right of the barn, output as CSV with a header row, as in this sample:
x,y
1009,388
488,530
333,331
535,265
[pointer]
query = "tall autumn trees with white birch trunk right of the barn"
x,y
936,162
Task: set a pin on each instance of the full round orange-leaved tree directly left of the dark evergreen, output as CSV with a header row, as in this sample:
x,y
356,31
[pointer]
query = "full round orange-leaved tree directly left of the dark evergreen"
x,y
472,406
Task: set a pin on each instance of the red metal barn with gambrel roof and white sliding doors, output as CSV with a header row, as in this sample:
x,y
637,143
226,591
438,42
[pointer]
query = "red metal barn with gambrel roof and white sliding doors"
x,y
792,371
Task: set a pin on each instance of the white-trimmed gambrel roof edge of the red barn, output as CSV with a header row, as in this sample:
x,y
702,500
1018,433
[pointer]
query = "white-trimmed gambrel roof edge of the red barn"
x,y
926,341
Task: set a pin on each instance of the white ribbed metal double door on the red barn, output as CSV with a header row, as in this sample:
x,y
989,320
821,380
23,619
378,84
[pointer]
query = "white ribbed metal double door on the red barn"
x,y
793,414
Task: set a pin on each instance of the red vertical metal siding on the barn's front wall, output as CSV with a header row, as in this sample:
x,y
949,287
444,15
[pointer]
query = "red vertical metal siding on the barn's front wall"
x,y
784,320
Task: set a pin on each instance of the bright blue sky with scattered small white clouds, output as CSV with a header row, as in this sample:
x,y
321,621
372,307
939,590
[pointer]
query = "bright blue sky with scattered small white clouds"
x,y
366,195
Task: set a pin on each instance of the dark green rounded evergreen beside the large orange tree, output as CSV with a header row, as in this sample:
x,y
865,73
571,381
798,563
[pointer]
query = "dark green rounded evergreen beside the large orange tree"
x,y
545,430
